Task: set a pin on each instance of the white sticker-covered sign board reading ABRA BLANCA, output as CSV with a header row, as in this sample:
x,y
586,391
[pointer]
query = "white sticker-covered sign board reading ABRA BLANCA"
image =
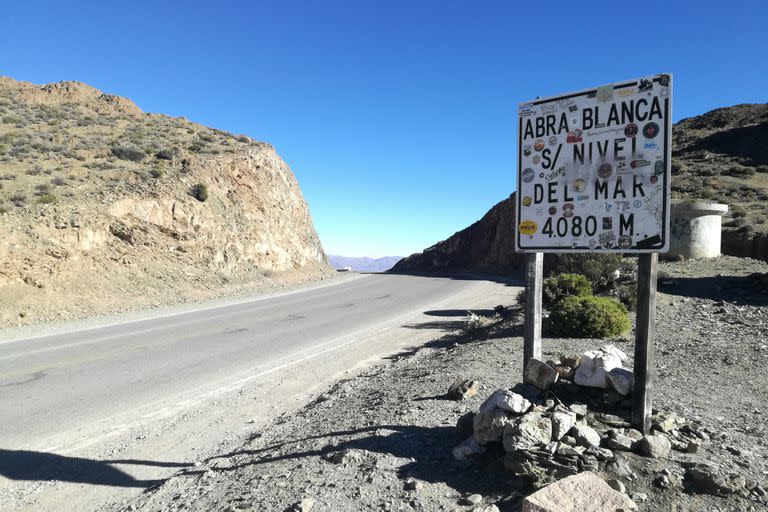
x,y
594,169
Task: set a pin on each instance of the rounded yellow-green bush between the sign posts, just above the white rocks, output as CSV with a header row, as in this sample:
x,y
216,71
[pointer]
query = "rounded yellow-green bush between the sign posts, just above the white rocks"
x,y
589,317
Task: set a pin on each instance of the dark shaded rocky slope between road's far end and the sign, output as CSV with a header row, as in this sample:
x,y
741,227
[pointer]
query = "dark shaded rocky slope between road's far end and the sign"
x,y
485,246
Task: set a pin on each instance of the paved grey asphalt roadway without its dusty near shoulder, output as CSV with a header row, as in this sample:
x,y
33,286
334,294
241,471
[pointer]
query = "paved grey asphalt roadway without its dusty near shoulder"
x,y
62,387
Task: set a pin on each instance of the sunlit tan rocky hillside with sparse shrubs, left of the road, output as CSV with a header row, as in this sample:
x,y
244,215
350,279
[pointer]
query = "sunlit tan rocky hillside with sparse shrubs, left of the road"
x,y
105,208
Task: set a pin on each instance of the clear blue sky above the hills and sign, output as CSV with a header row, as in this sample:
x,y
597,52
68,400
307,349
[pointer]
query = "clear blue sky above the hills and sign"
x,y
398,117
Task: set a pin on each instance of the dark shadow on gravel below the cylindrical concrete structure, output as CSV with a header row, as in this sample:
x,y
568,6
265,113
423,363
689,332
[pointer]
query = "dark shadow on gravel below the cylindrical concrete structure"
x,y
740,290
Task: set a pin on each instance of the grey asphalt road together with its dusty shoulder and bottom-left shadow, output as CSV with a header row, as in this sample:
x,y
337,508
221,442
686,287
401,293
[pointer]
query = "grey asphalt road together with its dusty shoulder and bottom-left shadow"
x,y
89,417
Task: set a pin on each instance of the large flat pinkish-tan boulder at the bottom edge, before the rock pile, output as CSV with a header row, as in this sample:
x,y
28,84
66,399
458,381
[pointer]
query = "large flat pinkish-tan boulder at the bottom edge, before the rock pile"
x,y
578,493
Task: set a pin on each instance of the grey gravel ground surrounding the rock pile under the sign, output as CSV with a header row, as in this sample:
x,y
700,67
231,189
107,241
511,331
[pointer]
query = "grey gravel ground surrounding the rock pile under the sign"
x,y
383,439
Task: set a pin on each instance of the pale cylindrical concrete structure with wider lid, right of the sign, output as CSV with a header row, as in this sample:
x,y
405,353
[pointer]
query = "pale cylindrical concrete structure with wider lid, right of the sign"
x,y
695,229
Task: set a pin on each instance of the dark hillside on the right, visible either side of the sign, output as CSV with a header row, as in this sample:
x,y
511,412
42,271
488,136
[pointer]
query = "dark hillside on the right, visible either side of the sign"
x,y
719,156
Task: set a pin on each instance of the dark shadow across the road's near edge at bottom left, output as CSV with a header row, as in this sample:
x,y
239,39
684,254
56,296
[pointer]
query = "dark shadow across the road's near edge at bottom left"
x,y
41,466
